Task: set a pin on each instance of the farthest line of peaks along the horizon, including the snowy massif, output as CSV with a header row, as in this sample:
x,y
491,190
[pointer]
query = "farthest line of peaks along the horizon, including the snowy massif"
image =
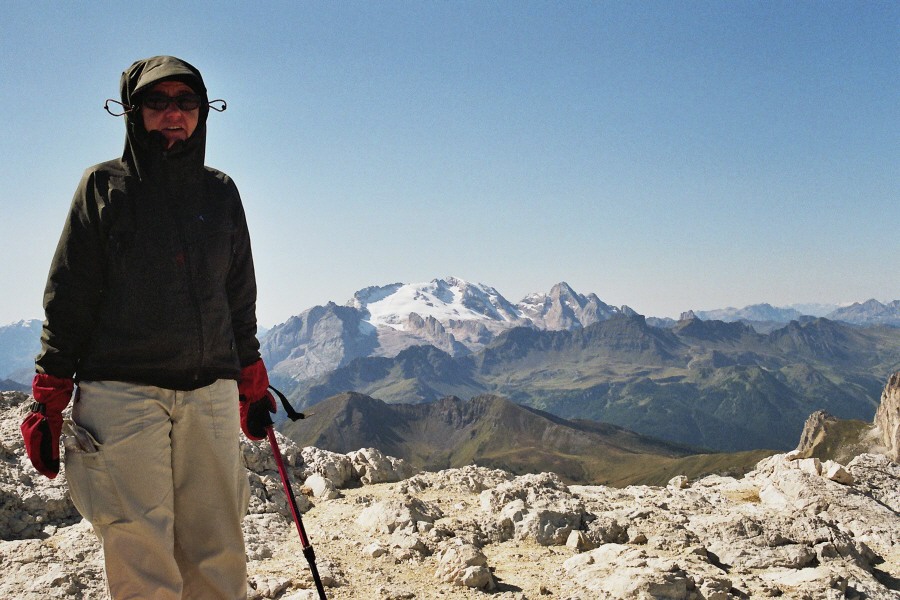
x,y
451,314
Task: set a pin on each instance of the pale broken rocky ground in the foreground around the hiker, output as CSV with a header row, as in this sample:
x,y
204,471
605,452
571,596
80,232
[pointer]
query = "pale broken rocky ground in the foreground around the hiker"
x,y
791,528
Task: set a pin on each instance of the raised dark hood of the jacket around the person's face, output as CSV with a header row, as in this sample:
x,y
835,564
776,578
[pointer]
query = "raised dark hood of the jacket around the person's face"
x,y
144,151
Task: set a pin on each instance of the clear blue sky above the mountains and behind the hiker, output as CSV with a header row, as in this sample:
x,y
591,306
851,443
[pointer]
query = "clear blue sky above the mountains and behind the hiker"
x,y
664,155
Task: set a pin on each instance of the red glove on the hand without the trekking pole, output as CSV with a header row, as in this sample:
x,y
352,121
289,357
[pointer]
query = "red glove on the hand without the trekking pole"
x,y
43,425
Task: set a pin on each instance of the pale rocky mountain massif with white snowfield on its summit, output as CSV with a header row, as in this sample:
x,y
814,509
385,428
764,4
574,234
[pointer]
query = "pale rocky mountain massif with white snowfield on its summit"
x,y
451,314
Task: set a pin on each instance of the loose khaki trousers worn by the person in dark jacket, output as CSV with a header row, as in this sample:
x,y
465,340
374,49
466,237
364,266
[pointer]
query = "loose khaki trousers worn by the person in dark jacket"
x,y
166,489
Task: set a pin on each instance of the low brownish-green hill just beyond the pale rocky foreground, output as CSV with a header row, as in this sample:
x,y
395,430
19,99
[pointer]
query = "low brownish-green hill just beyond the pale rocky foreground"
x,y
492,431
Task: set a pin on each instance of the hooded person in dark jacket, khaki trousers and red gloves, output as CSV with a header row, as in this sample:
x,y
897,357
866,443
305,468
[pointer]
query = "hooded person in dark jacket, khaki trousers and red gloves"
x,y
150,325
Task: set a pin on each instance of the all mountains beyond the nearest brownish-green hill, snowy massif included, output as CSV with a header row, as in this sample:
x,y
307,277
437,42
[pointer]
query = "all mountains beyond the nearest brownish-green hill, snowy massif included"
x,y
744,380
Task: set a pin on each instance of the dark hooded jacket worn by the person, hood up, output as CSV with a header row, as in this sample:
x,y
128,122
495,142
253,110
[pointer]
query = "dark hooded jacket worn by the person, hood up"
x,y
152,281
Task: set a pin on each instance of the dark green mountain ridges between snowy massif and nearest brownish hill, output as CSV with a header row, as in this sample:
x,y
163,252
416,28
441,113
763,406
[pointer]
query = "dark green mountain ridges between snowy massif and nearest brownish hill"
x,y
705,384
